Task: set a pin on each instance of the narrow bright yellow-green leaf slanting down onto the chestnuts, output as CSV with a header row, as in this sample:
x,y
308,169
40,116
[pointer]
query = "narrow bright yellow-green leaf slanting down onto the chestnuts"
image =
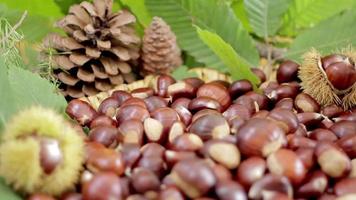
x,y
238,67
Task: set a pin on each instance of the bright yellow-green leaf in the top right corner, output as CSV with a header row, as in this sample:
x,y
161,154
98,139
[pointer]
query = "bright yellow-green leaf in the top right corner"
x,y
306,13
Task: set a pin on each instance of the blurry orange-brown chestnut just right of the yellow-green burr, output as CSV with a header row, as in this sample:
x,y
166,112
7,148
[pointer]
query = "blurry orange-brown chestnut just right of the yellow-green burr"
x,y
100,159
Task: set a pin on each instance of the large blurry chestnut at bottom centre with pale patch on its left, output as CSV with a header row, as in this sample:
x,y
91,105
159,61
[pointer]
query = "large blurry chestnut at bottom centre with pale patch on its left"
x,y
194,177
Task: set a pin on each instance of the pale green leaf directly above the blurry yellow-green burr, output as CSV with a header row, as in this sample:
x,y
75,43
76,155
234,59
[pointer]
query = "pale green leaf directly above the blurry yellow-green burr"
x,y
31,89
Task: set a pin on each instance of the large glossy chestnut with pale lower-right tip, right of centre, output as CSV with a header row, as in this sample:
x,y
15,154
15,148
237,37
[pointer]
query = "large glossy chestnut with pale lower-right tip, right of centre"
x,y
260,137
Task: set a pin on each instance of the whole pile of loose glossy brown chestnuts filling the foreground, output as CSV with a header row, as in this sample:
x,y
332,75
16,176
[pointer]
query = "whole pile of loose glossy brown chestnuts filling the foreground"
x,y
193,140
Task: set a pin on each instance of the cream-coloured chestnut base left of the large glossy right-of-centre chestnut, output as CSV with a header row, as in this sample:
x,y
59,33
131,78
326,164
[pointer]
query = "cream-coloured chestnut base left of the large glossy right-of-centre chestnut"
x,y
224,153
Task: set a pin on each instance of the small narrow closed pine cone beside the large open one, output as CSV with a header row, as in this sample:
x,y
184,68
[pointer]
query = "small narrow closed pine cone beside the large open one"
x,y
161,53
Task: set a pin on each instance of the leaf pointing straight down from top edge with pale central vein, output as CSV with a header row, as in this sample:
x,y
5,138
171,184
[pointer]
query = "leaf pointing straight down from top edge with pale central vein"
x,y
265,16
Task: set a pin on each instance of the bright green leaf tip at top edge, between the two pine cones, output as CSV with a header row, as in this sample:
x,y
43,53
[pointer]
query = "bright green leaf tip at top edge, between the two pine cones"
x,y
138,8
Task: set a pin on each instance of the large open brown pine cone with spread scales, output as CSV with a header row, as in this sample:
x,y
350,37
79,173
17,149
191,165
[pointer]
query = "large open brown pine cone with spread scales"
x,y
99,52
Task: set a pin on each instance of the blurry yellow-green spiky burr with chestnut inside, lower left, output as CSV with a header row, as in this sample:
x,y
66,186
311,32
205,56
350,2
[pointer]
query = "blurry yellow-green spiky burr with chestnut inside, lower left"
x,y
40,153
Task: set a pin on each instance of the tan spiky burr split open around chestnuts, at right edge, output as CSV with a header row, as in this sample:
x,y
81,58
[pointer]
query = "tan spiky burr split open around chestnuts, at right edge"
x,y
330,79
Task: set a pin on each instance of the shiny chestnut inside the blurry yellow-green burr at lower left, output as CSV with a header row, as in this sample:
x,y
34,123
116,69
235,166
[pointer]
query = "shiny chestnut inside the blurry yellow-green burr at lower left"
x,y
50,154
